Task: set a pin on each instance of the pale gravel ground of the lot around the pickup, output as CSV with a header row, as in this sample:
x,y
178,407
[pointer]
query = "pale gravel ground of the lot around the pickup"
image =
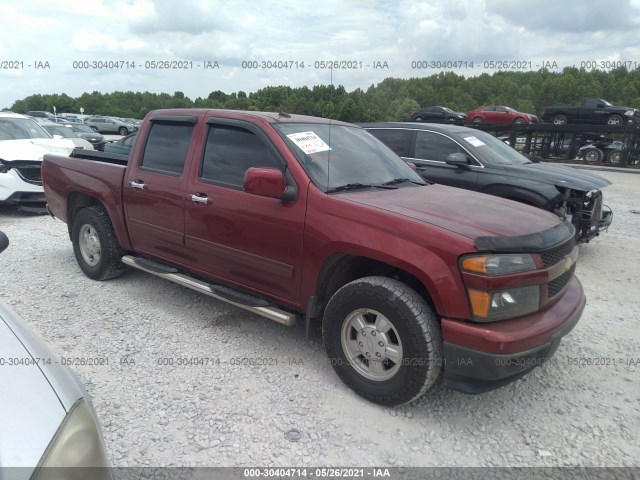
x,y
581,408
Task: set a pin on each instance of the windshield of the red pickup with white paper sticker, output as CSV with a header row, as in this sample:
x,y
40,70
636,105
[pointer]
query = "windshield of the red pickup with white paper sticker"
x,y
336,156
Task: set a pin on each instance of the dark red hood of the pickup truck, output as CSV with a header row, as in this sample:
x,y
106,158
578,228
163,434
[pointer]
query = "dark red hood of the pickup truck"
x,y
464,212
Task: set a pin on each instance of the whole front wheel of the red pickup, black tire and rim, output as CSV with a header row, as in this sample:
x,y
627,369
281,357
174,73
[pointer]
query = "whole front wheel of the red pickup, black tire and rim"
x,y
415,336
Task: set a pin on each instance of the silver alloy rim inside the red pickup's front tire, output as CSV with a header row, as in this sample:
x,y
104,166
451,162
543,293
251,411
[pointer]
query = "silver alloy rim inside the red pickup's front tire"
x,y
371,344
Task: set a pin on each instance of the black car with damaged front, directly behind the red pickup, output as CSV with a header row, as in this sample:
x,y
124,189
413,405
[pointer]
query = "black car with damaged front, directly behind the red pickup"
x,y
475,160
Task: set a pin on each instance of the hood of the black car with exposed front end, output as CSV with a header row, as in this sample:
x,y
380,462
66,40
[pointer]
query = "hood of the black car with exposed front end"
x,y
558,175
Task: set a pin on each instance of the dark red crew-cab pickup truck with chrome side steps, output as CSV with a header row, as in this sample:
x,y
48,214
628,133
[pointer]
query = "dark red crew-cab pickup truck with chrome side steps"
x,y
292,217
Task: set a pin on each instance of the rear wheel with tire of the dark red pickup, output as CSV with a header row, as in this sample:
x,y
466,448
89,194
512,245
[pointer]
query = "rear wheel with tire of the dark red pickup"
x,y
104,261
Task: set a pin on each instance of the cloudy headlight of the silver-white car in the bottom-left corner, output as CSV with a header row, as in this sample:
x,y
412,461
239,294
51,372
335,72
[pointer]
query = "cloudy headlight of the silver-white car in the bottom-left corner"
x,y
77,443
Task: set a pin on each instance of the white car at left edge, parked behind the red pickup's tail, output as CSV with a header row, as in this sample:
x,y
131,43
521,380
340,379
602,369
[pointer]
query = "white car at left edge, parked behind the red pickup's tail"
x,y
23,143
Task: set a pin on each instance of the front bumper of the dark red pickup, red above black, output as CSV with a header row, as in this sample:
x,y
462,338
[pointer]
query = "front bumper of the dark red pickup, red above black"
x,y
482,357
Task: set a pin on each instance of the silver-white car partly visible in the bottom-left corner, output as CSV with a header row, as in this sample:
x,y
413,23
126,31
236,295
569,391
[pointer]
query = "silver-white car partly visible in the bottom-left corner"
x,y
46,416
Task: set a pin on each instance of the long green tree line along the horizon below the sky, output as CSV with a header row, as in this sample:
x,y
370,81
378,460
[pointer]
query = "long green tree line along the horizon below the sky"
x,y
390,100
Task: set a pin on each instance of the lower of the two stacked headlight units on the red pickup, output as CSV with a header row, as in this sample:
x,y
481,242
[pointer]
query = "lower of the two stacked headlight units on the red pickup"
x,y
503,304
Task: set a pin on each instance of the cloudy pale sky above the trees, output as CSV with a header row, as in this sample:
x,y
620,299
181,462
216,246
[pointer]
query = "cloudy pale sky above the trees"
x,y
65,37
